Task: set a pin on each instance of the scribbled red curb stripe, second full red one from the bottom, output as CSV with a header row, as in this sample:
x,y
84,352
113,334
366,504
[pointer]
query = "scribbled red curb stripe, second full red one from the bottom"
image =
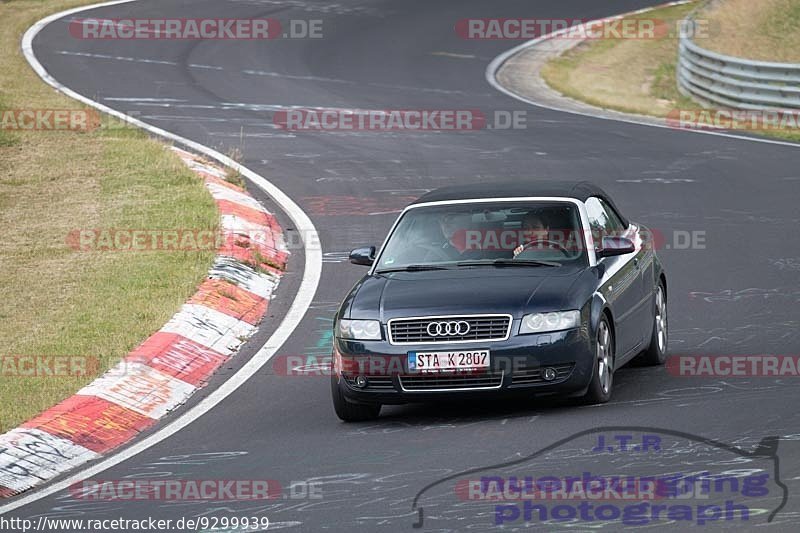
x,y
178,357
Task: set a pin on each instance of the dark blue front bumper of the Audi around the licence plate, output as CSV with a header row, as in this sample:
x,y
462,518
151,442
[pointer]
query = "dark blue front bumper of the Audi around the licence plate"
x,y
516,367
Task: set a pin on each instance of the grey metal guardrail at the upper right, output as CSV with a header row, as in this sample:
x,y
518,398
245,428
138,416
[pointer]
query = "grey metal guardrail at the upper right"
x,y
731,82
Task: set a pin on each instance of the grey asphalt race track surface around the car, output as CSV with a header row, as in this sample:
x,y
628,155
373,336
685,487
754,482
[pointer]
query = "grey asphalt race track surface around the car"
x,y
737,295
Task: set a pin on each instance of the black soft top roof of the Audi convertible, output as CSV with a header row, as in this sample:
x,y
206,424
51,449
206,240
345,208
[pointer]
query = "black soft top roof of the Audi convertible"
x,y
579,190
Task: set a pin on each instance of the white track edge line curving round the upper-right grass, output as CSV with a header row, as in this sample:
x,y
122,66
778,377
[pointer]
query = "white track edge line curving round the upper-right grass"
x,y
497,62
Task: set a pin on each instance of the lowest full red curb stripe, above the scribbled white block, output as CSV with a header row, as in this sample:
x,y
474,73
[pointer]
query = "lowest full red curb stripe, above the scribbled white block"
x,y
91,422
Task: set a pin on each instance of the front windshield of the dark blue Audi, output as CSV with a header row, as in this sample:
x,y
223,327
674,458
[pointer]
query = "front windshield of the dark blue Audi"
x,y
546,234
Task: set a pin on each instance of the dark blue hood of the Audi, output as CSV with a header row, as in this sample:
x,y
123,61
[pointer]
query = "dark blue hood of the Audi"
x,y
511,290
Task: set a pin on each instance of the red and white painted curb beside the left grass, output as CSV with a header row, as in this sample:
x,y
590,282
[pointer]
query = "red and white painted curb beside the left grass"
x,y
167,368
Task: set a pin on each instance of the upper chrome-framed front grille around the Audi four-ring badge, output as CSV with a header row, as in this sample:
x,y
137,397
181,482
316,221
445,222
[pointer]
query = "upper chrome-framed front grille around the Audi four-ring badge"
x,y
481,328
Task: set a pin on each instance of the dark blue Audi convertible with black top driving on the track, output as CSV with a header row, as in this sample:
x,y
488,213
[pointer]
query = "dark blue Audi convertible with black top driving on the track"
x,y
542,288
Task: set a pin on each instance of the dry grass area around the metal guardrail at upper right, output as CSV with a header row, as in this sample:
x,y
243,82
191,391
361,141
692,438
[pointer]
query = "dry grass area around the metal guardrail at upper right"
x,y
639,75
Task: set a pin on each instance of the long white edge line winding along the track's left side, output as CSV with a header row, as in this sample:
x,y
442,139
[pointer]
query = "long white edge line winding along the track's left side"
x,y
305,294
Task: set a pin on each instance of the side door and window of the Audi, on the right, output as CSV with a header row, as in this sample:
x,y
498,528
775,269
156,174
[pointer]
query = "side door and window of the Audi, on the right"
x,y
622,284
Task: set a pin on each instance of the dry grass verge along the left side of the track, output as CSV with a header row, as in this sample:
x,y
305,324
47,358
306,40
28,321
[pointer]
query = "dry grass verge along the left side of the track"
x,y
59,301
